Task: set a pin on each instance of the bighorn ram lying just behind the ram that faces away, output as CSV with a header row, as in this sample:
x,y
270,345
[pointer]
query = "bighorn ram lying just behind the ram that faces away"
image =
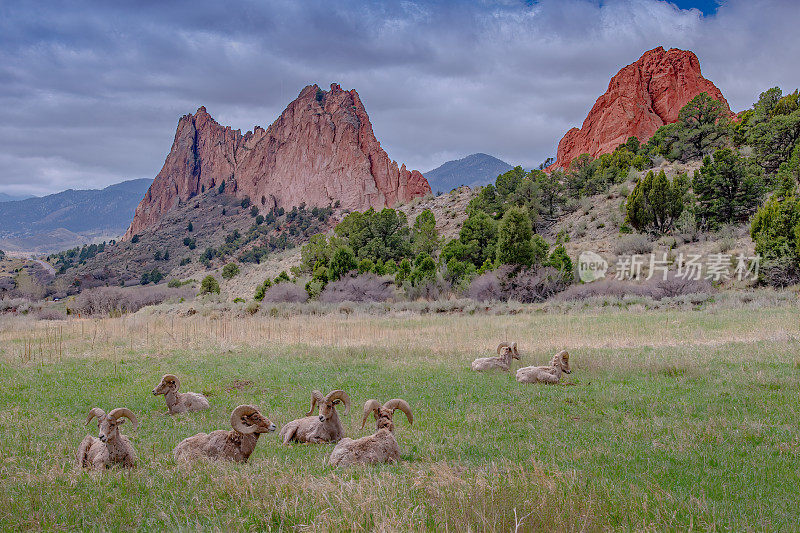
x,y
323,428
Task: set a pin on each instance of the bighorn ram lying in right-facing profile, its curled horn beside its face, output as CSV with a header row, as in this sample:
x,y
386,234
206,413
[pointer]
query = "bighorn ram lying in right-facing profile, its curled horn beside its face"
x,y
236,445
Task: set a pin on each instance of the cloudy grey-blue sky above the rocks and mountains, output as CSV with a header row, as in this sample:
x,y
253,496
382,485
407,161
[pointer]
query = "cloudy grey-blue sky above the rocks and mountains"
x,y
90,92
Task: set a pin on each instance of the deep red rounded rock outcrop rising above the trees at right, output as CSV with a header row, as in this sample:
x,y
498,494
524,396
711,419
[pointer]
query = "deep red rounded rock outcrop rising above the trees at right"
x,y
641,98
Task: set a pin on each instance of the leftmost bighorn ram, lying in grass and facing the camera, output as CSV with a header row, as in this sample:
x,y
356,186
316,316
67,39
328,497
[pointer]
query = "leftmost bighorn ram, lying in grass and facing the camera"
x,y
109,447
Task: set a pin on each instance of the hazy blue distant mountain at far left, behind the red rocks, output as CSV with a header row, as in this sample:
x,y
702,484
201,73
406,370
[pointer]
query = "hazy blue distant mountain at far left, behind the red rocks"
x,y
69,218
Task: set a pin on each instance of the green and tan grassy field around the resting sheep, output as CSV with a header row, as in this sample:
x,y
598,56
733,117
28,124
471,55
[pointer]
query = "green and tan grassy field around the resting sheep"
x,y
669,421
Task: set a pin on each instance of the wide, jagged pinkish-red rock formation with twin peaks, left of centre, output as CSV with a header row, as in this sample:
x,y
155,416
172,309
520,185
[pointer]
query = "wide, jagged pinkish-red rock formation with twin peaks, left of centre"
x,y
320,150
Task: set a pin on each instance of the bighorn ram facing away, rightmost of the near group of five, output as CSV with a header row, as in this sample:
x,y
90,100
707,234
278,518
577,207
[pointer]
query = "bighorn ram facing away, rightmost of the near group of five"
x,y
380,447
